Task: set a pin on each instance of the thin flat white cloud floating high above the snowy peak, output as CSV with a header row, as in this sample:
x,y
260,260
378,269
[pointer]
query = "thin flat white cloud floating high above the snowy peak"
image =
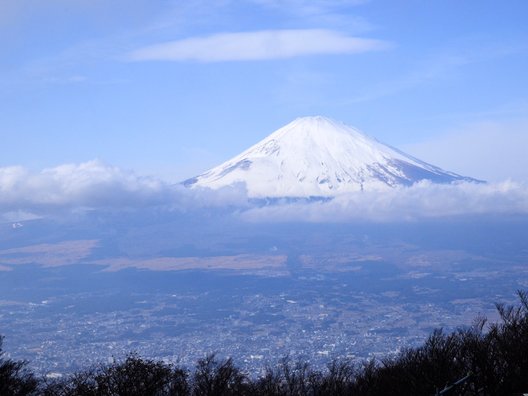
x,y
258,45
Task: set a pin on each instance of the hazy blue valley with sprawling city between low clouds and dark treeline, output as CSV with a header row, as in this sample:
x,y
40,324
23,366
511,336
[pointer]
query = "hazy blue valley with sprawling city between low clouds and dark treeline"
x,y
254,294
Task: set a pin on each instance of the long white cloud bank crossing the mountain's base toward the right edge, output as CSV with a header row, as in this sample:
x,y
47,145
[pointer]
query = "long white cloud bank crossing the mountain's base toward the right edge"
x,y
423,200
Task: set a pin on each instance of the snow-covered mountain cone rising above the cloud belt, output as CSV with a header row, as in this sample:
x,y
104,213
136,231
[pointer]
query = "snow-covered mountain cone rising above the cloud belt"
x,y
320,157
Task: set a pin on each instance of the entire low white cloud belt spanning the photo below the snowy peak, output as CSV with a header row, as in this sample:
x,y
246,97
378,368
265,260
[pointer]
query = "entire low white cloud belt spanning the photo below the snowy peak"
x,y
95,185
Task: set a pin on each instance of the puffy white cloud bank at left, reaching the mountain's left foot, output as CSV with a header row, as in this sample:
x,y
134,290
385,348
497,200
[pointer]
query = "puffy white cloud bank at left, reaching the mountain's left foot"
x,y
96,185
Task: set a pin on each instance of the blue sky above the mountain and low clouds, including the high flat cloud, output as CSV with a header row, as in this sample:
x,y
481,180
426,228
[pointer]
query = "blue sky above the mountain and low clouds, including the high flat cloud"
x,y
171,88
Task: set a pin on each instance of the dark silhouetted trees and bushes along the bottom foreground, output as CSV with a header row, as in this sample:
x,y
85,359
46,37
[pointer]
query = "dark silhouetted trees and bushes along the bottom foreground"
x,y
485,359
